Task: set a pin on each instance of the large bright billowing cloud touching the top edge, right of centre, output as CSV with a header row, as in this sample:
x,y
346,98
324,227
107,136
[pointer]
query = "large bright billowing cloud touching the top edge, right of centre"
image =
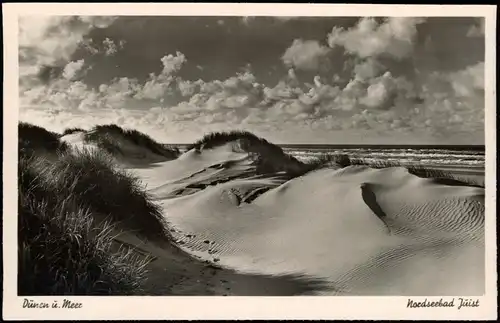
x,y
394,37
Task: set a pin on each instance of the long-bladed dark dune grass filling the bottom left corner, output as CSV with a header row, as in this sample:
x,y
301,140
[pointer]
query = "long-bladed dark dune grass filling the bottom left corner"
x,y
62,250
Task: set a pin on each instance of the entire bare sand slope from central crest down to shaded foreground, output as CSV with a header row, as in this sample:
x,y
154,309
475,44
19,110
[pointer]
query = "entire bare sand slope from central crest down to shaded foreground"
x,y
353,231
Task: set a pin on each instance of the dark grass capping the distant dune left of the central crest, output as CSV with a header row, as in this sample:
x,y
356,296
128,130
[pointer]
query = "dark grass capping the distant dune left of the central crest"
x,y
107,138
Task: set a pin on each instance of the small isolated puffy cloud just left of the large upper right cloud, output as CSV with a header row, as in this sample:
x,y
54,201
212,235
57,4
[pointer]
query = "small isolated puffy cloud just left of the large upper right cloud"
x,y
305,55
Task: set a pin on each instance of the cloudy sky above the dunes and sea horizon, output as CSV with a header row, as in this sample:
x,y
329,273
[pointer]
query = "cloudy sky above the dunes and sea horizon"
x,y
333,80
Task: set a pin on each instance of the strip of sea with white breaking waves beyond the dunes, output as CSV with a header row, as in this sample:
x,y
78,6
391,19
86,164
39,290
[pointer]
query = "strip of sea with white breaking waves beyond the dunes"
x,y
441,157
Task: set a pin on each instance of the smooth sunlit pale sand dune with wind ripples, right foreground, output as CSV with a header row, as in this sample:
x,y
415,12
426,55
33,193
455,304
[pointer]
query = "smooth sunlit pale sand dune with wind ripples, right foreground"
x,y
364,231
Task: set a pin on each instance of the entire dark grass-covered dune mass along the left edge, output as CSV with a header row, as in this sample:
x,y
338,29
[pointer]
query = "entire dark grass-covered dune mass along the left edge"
x,y
70,209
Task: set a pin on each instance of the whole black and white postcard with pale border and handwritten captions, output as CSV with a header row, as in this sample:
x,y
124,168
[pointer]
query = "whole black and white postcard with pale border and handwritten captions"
x,y
251,155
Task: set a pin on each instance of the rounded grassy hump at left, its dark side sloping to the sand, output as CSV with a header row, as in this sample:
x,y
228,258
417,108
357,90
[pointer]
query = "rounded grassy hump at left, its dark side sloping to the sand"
x,y
108,190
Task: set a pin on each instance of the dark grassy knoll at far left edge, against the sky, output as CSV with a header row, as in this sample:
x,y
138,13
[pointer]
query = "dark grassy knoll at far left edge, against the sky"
x,y
33,138
